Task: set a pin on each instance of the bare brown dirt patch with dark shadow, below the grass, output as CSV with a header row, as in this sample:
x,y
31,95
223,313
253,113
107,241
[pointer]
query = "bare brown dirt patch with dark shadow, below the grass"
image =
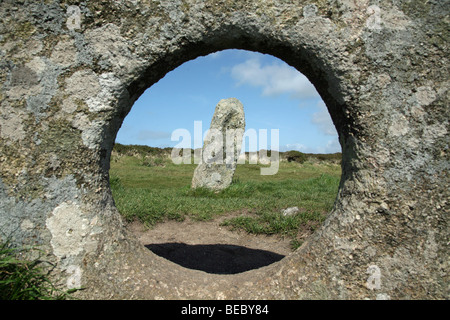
x,y
210,247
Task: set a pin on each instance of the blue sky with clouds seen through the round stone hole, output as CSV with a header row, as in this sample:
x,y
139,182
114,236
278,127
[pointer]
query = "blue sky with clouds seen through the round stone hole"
x,y
274,95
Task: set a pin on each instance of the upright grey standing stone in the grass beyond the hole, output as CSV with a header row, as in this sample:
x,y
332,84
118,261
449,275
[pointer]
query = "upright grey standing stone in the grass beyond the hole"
x,y
221,147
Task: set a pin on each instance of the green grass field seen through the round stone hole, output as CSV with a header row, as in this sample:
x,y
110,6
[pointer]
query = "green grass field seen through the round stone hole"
x,y
150,188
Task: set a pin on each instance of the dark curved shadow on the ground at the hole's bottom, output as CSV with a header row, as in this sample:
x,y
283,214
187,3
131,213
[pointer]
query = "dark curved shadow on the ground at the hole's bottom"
x,y
215,258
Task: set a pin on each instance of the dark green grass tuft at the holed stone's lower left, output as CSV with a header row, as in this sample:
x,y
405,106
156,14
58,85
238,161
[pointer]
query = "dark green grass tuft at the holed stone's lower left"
x,y
22,279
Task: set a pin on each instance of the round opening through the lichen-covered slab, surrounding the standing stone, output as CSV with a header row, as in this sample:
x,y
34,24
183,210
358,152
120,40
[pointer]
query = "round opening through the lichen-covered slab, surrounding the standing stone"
x,y
259,219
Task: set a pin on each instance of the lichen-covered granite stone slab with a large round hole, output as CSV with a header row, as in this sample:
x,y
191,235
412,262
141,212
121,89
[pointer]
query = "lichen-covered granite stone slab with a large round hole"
x,y
381,67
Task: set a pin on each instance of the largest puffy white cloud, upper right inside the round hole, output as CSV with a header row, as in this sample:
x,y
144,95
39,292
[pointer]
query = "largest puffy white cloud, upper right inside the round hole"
x,y
275,78
